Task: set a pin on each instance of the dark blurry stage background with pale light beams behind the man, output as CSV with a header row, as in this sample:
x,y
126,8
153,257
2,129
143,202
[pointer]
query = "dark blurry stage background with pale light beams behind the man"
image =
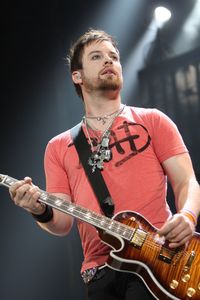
x,y
38,101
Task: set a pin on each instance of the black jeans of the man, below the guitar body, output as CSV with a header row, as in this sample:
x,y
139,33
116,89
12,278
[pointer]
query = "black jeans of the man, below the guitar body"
x,y
114,285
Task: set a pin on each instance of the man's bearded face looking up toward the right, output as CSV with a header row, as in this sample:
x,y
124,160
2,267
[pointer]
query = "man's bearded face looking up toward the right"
x,y
102,69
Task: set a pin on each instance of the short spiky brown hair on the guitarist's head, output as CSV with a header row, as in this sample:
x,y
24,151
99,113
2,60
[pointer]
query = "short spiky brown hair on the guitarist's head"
x,y
74,58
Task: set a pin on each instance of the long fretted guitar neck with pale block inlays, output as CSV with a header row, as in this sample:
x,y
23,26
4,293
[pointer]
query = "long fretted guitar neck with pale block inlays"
x,y
79,212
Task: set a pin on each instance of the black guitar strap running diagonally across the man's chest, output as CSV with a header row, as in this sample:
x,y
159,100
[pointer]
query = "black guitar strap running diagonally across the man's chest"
x,y
96,179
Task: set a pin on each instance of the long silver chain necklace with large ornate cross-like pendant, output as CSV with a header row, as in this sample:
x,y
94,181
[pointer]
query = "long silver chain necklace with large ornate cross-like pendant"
x,y
102,153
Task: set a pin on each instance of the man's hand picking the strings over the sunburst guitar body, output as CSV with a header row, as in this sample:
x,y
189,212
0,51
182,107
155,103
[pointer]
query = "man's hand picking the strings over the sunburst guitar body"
x,y
177,230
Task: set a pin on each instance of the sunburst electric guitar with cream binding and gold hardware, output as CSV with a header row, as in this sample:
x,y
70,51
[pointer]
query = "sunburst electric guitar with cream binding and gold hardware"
x,y
137,248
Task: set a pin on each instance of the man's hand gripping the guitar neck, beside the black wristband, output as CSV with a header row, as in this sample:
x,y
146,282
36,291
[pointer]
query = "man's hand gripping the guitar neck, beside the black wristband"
x,y
26,195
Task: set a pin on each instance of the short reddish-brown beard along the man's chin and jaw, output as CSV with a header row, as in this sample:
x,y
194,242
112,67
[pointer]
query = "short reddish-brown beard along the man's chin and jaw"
x,y
111,83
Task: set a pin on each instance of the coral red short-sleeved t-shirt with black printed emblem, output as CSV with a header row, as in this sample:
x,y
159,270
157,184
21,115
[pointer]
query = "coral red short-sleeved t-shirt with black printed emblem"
x,y
141,139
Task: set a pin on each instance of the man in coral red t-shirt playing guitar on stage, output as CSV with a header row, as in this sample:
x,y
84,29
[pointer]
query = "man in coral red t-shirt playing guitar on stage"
x,y
143,146
